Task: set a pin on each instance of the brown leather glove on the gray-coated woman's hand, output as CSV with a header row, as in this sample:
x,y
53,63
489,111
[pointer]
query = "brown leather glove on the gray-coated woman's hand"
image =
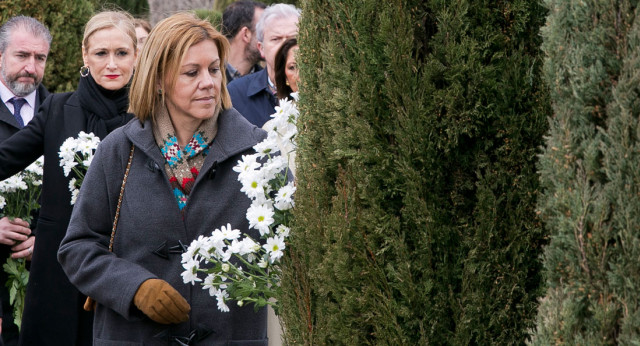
x,y
161,302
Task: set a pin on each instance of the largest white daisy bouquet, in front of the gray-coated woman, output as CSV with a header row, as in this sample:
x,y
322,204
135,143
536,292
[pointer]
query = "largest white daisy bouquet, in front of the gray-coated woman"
x,y
232,265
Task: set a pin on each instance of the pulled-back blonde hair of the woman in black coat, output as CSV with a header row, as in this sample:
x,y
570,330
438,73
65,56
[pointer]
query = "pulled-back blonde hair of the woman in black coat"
x,y
107,20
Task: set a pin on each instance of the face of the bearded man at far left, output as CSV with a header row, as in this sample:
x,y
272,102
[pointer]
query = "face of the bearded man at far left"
x,y
23,62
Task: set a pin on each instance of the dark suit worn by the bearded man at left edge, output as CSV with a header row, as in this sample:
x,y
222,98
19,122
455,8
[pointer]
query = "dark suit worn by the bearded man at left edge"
x,y
8,127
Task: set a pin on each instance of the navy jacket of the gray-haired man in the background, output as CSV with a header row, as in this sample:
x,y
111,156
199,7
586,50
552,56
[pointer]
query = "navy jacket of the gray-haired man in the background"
x,y
251,97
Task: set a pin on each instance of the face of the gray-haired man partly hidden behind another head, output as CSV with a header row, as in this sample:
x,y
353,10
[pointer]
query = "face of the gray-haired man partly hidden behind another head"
x,y
275,33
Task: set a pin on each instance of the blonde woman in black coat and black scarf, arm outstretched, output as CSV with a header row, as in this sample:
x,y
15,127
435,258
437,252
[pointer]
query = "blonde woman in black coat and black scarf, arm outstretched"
x,y
53,313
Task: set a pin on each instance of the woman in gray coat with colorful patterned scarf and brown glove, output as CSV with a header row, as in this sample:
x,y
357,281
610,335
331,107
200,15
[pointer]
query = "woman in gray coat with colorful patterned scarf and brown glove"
x,y
180,185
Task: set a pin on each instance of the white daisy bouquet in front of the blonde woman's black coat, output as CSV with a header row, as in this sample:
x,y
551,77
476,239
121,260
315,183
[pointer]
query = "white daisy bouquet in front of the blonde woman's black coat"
x,y
76,155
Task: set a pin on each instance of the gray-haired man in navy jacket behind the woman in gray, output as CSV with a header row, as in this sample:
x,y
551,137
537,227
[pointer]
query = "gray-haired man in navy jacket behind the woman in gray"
x,y
254,95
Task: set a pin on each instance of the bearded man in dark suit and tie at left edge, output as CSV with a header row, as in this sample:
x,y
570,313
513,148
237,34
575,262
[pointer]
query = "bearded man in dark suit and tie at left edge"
x,y
24,47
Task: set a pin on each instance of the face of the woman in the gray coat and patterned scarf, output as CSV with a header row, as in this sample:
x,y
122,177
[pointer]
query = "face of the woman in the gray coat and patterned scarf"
x,y
196,93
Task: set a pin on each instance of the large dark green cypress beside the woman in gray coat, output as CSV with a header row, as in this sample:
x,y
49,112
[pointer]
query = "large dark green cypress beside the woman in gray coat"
x,y
415,210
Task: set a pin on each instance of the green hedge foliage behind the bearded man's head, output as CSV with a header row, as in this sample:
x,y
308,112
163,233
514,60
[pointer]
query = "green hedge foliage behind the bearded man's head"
x,y
65,19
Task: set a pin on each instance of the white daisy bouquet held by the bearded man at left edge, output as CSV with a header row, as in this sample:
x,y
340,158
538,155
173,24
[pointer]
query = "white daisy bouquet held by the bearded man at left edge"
x,y
19,197
